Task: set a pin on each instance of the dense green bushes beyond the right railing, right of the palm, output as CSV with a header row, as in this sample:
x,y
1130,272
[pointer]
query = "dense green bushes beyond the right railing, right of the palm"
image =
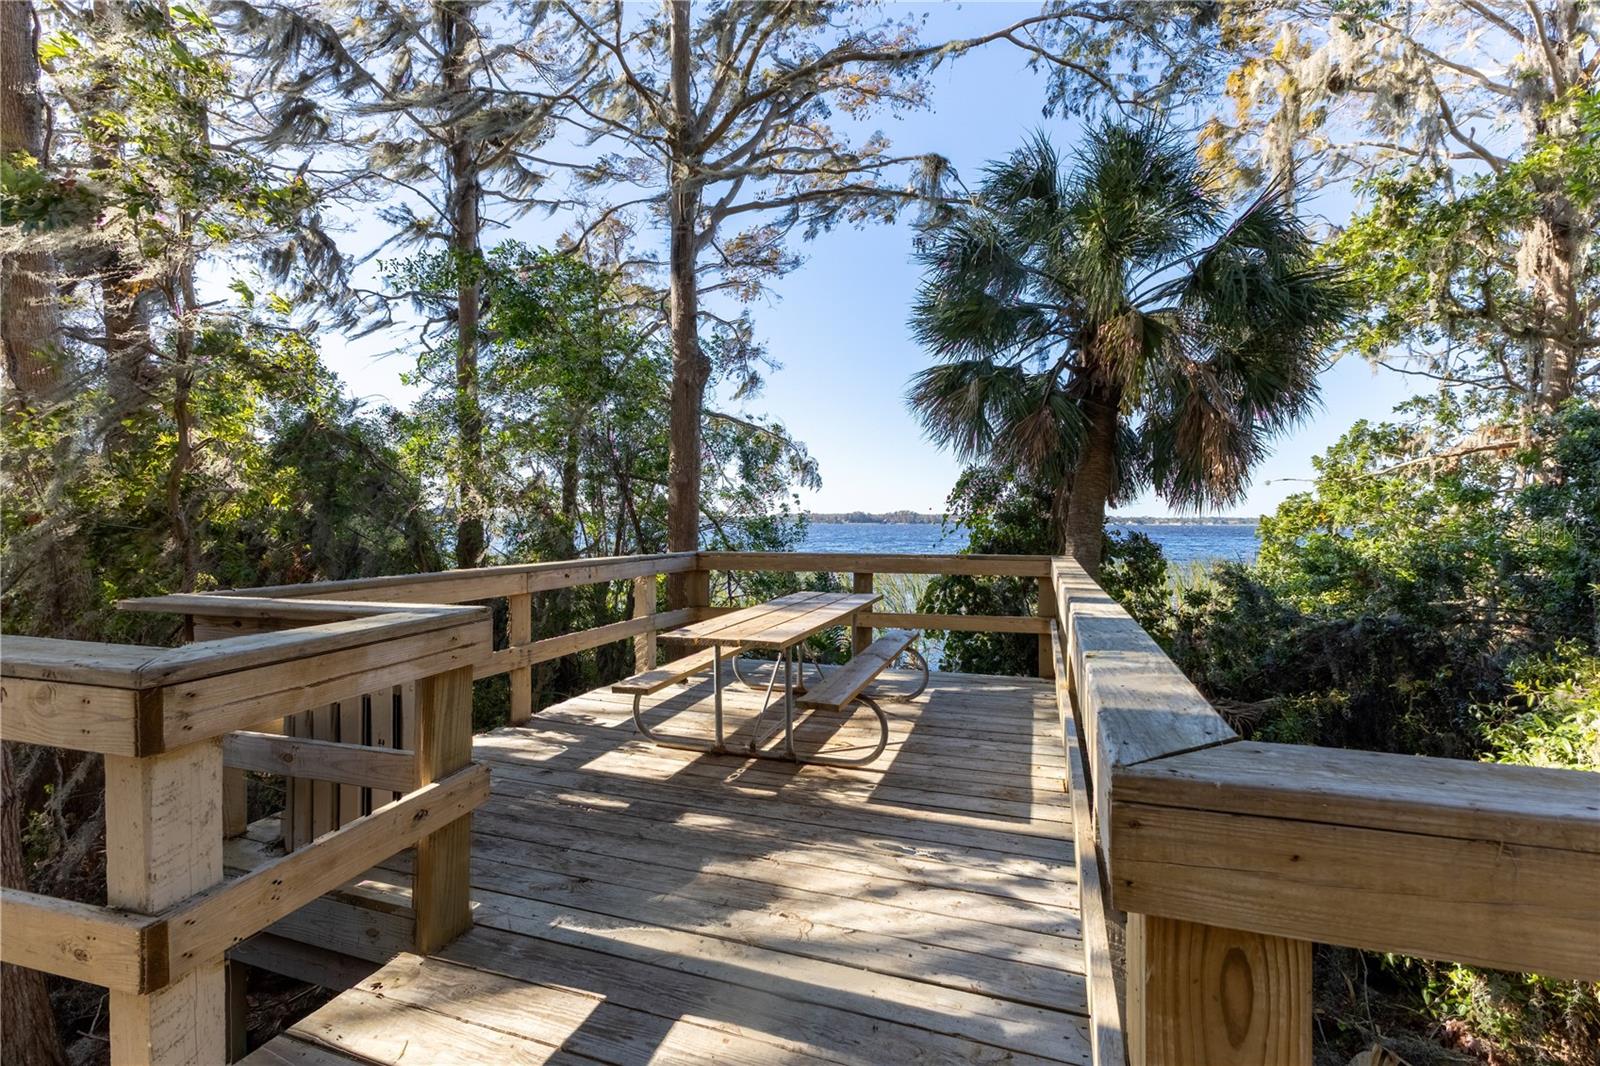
x,y
1393,603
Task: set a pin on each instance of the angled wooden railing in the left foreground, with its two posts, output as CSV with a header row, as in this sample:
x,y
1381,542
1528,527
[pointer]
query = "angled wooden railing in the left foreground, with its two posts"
x,y
169,721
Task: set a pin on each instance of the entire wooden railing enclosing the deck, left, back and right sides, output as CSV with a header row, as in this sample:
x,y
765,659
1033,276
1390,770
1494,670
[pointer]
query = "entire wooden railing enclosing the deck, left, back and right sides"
x,y
1207,865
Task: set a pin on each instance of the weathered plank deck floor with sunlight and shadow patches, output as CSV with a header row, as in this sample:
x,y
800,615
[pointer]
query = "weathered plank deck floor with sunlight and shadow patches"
x,y
649,905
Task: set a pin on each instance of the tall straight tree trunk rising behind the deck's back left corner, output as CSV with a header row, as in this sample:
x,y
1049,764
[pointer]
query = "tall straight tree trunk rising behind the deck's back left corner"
x,y
690,369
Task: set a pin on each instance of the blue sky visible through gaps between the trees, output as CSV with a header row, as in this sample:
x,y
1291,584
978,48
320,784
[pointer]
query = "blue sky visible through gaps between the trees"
x,y
838,326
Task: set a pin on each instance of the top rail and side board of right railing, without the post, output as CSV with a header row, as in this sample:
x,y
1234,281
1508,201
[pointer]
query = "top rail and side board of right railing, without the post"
x,y
1468,862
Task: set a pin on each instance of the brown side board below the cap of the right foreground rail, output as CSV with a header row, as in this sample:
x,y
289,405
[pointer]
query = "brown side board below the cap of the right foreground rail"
x,y
1463,900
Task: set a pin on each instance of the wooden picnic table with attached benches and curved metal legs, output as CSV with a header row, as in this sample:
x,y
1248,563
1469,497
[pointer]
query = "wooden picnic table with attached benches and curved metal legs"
x,y
782,625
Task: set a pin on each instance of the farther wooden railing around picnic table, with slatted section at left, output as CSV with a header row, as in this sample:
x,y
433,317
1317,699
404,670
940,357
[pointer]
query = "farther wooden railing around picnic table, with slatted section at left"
x,y
321,803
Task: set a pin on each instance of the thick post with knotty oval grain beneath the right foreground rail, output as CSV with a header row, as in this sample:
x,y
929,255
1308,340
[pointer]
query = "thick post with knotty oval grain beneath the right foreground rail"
x,y
1207,995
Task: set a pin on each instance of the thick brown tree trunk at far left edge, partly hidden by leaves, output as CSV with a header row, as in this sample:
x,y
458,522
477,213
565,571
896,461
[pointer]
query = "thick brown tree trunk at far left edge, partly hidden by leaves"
x,y
30,321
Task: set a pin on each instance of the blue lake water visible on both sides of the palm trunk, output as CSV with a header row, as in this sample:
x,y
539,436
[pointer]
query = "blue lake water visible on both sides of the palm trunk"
x,y
1183,543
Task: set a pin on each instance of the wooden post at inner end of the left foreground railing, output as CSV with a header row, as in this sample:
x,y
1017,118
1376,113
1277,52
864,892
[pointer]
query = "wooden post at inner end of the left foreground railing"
x,y
444,745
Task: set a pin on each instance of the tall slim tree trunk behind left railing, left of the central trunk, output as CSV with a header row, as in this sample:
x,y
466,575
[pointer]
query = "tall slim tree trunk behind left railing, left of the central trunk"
x,y
466,194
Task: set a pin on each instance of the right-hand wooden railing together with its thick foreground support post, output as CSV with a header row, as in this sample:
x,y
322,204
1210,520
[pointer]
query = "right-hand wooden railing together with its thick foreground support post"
x,y
1228,859
